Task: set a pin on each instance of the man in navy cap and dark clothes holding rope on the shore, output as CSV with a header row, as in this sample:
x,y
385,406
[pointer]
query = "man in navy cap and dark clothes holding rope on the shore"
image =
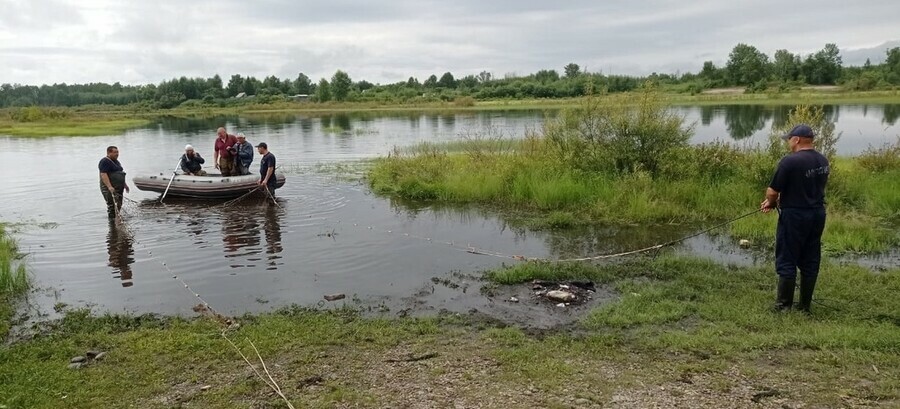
x,y
798,191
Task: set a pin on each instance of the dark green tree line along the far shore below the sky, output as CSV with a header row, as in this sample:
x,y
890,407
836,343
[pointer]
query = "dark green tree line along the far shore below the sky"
x,y
746,67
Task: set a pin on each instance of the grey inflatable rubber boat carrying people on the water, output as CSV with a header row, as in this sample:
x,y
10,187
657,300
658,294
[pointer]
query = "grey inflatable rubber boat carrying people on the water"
x,y
211,186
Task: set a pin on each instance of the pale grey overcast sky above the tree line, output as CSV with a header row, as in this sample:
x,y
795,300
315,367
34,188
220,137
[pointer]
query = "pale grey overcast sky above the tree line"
x,y
138,41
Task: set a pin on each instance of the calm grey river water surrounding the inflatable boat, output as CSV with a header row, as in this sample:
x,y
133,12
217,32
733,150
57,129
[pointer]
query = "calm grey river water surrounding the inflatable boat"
x,y
326,235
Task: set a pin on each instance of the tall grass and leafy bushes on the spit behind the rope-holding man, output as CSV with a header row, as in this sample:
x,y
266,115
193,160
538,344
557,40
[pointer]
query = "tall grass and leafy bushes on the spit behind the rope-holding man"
x,y
627,161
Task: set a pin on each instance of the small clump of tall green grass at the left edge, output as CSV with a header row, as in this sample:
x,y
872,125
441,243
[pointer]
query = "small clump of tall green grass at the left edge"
x,y
13,278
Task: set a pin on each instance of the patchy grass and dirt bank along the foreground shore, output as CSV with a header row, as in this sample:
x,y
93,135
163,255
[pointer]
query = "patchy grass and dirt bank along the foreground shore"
x,y
684,333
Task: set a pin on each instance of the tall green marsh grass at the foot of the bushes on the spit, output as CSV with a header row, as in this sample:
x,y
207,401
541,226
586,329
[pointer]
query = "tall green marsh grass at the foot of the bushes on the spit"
x,y
863,206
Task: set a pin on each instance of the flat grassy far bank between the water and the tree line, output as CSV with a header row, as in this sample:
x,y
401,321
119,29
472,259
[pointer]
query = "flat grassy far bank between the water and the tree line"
x,y
107,119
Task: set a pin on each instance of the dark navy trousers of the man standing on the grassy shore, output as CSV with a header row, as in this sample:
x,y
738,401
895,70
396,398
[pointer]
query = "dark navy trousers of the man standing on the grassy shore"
x,y
798,242
